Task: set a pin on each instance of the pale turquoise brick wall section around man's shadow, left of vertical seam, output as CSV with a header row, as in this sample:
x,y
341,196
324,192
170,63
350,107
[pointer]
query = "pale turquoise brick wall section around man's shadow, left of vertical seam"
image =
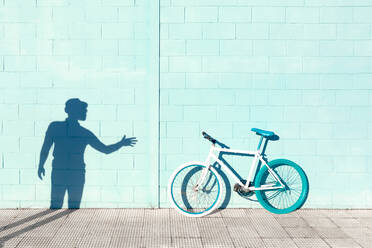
x,y
100,52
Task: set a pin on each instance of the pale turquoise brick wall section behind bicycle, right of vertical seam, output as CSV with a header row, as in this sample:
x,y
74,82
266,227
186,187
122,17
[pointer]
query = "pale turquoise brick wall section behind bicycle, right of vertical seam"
x,y
301,68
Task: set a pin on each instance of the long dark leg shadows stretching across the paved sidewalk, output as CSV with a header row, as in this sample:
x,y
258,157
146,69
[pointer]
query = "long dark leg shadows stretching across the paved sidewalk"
x,y
31,226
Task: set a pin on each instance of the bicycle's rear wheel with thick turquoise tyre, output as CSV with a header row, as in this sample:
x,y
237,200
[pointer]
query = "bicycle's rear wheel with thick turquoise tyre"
x,y
289,198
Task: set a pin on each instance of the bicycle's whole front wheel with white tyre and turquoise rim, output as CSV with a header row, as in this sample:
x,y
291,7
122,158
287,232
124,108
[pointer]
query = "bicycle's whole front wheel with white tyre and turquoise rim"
x,y
187,196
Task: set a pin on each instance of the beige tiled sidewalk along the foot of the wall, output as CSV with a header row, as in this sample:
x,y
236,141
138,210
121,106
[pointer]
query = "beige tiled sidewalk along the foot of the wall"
x,y
166,228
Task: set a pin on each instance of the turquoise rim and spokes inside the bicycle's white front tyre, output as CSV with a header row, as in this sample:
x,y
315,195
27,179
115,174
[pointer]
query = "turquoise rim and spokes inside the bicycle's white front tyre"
x,y
186,198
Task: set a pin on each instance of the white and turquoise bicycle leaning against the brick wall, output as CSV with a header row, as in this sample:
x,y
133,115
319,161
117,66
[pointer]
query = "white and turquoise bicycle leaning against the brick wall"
x,y
281,186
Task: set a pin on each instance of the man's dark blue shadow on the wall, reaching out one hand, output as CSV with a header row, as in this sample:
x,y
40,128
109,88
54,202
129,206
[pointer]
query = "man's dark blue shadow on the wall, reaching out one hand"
x,y
70,141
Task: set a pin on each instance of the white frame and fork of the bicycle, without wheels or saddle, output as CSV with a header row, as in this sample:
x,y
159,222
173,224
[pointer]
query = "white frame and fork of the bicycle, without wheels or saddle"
x,y
252,172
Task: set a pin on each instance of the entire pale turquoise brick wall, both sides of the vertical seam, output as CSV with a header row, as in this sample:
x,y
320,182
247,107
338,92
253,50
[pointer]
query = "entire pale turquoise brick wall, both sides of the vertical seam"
x,y
302,68
